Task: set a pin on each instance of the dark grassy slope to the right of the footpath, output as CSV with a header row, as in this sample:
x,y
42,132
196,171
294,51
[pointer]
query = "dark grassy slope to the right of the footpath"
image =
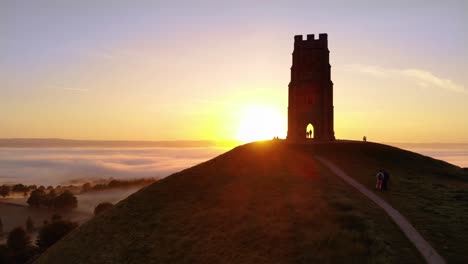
x,y
431,193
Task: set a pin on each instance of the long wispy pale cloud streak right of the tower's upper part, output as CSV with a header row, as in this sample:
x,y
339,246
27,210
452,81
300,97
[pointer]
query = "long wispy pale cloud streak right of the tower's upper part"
x,y
420,77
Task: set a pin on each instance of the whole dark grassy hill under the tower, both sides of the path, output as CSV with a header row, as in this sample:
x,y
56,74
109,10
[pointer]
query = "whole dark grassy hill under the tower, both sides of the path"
x,y
272,202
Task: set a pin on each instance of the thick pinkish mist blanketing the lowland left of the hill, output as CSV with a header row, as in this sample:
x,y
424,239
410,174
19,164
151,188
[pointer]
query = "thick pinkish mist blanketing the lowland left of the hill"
x,y
54,166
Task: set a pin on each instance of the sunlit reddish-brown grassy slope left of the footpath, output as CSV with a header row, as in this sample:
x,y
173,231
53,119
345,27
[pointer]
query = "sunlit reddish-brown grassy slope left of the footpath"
x,y
259,203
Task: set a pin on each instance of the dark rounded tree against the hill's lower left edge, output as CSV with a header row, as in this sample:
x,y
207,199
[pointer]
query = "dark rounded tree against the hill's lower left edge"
x,y
53,232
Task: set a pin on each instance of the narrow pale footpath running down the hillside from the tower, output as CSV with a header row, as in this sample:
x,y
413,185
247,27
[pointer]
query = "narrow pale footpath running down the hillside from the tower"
x,y
429,254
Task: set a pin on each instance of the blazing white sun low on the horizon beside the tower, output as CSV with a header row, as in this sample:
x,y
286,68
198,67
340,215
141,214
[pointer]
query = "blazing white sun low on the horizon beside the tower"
x,y
260,123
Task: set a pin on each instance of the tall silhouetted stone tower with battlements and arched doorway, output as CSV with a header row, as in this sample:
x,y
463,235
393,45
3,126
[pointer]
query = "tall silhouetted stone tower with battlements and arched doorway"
x,y
310,91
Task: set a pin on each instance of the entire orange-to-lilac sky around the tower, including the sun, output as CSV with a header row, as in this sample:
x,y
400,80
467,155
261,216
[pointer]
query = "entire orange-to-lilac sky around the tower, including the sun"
x,y
170,70
